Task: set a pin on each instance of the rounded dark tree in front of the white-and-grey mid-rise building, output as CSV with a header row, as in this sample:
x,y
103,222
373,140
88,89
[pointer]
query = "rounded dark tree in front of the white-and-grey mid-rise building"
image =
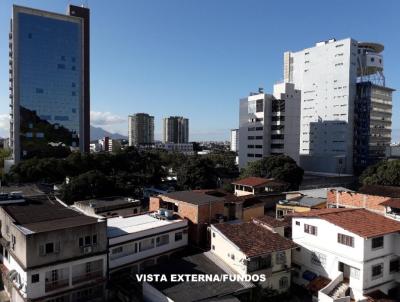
x,y
280,167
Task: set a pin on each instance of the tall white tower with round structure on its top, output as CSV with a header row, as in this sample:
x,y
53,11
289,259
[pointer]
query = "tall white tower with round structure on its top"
x,y
345,106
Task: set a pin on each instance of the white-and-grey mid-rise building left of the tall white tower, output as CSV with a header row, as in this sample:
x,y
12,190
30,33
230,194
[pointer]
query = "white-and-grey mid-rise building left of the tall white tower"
x,y
269,124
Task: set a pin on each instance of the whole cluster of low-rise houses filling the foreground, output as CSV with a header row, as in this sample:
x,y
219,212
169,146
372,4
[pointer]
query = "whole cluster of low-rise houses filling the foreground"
x,y
337,244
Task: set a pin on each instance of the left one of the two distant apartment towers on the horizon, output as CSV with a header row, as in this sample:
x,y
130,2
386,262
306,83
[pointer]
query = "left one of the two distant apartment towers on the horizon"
x,y
140,129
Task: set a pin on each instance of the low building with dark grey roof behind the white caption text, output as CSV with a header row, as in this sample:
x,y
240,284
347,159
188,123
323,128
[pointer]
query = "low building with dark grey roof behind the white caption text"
x,y
190,290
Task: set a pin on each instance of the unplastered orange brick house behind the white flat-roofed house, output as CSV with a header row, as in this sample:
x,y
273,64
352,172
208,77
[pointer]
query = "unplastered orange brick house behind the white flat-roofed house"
x,y
199,208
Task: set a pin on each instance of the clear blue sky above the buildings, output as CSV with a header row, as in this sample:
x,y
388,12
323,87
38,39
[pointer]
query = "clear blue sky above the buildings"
x,y
197,58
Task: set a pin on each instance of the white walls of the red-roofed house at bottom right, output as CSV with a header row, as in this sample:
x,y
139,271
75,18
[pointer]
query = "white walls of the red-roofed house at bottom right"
x,y
361,256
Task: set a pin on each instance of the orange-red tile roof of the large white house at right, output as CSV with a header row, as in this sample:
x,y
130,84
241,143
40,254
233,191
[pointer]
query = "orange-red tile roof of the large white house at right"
x,y
358,221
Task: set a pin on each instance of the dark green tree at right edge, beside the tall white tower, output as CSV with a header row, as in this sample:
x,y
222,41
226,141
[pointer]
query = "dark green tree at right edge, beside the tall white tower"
x,y
385,172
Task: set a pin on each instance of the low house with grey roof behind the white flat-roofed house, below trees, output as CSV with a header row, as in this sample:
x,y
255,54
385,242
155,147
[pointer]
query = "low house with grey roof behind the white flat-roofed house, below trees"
x,y
109,207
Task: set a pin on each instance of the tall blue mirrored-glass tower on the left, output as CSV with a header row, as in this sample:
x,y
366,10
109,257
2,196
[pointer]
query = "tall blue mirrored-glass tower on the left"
x,y
49,80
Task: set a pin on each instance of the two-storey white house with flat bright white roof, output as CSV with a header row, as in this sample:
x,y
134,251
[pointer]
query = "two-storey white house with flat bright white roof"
x,y
136,242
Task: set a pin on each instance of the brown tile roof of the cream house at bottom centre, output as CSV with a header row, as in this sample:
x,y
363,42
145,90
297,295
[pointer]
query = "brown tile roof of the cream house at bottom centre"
x,y
254,240
